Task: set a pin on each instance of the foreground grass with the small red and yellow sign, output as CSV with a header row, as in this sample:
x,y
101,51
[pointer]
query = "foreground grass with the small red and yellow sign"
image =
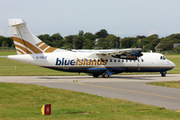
x,y
20,101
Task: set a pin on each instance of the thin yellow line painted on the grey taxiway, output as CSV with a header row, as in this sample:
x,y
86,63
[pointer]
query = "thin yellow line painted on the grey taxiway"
x,y
75,81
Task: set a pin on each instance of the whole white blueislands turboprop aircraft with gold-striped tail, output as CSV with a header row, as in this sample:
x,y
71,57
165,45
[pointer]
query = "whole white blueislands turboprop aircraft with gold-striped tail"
x,y
32,50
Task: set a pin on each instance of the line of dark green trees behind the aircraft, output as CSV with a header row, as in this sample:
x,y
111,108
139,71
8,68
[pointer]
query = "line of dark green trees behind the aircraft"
x,y
103,40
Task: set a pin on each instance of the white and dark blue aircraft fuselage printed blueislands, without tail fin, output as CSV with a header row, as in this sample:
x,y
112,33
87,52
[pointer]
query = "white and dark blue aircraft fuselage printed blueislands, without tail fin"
x,y
89,62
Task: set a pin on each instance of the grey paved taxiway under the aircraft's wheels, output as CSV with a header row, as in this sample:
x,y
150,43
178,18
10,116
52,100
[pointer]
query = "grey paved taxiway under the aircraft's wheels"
x,y
128,87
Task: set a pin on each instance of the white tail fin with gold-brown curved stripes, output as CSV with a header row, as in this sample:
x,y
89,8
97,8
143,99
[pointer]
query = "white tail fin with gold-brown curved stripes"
x,y
26,42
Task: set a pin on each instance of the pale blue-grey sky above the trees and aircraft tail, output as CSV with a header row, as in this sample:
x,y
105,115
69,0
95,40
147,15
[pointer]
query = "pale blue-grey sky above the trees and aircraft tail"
x,y
123,18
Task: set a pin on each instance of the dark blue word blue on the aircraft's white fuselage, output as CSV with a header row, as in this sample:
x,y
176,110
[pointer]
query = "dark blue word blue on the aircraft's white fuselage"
x,y
65,62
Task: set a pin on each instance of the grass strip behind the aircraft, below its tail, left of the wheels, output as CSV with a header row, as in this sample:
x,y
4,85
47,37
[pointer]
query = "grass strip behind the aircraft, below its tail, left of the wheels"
x,y
13,68
